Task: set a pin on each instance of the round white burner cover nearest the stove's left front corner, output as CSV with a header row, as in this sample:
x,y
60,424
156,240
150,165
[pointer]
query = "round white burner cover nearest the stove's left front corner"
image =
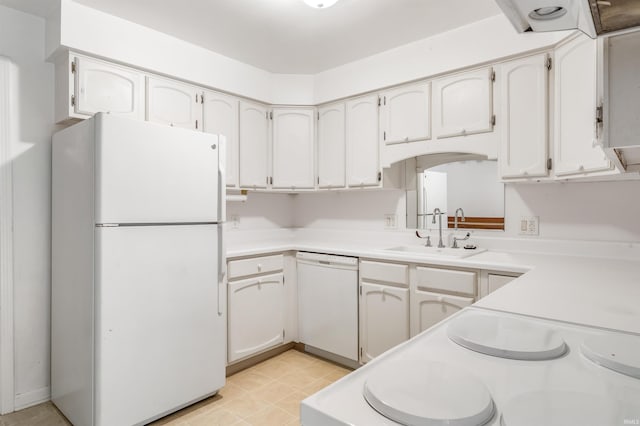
x,y
428,393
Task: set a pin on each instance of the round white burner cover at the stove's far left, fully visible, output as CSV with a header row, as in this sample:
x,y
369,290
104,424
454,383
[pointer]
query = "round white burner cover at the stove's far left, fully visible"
x,y
506,337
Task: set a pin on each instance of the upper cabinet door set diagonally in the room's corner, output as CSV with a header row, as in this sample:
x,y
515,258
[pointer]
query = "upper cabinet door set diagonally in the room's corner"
x,y
293,148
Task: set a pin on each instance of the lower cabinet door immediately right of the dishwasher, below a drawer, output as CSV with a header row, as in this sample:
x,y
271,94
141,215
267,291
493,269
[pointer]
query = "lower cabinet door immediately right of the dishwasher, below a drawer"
x,y
384,319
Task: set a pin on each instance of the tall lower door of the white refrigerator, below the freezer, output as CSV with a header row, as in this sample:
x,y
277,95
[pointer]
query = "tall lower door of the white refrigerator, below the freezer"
x,y
160,340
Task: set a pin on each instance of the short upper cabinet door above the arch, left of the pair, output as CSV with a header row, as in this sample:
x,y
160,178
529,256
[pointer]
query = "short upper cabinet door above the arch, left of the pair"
x,y
406,114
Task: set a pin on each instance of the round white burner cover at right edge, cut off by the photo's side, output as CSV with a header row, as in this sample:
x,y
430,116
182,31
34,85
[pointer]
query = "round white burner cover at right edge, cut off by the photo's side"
x,y
618,352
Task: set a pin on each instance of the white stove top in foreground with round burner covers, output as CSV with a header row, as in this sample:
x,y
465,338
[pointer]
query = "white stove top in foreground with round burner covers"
x,y
480,367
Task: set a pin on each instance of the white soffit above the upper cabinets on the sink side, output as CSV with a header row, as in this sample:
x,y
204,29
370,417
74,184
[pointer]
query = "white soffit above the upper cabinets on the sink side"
x,y
483,41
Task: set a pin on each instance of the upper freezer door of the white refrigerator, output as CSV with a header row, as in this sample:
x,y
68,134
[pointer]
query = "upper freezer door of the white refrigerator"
x,y
151,173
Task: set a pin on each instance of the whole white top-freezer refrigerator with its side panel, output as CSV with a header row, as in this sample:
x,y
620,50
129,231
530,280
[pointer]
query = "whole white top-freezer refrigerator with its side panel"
x,y
137,268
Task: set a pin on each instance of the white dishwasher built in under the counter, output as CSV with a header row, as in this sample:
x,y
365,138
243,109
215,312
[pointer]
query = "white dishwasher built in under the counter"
x,y
328,303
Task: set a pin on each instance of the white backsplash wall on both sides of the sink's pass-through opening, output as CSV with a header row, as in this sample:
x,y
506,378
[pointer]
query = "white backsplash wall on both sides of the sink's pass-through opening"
x,y
600,211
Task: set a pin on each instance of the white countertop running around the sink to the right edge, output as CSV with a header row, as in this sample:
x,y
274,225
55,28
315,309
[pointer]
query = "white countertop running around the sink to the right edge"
x,y
596,284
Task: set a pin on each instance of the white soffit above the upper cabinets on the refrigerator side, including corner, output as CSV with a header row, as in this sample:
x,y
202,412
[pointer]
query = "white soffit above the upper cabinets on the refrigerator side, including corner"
x,y
87,30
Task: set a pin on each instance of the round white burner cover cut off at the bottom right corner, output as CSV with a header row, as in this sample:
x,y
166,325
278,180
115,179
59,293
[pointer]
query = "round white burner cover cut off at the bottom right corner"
x,y
558,408
